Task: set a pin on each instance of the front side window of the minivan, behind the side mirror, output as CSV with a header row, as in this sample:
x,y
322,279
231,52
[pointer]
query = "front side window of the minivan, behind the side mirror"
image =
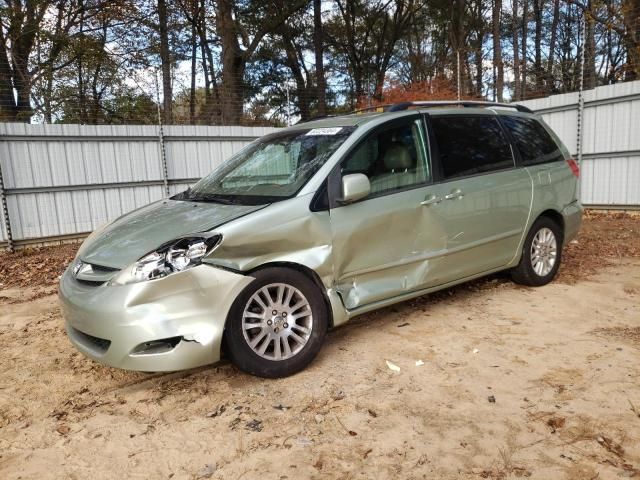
x,y
393,159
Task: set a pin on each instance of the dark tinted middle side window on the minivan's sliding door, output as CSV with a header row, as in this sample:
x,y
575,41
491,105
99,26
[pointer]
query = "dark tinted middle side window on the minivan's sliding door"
x,y
471,145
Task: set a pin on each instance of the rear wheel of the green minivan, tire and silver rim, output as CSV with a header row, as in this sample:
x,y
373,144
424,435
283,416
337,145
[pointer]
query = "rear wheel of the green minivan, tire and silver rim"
x,y
539,245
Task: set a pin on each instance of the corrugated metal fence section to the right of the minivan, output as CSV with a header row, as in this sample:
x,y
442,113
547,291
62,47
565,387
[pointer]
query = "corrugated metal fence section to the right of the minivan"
x,y
610,171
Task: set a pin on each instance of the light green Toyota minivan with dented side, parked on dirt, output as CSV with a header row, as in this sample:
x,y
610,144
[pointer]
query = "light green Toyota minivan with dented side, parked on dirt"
x,y
306,228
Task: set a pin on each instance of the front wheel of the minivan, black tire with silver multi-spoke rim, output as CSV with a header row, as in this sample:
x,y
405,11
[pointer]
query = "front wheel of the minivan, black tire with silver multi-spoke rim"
x,y
277,346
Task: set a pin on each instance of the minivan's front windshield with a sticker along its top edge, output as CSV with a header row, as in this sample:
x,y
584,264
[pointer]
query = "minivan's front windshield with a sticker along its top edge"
x,y
270,169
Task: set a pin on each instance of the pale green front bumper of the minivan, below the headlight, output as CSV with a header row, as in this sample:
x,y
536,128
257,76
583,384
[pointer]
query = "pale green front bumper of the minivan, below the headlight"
x,y
173,323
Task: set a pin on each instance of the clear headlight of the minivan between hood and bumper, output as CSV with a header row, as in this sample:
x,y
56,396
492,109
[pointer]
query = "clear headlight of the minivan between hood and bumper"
x,y
176,256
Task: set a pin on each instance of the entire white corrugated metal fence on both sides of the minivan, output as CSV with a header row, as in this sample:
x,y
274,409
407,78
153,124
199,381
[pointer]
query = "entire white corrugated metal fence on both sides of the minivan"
x,y
62,181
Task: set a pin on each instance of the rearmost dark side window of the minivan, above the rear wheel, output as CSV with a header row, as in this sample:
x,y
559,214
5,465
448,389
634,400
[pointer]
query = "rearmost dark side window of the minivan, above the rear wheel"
x,y
532,140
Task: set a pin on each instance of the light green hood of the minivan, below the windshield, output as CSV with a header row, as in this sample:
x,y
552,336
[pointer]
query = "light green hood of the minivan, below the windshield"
x,y
139,232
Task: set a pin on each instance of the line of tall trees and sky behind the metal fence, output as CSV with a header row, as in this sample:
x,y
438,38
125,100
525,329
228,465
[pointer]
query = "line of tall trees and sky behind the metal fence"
x,y
230,62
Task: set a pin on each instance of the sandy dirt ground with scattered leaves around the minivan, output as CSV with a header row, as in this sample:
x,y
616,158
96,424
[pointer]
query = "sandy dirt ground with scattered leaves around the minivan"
x,y
495,381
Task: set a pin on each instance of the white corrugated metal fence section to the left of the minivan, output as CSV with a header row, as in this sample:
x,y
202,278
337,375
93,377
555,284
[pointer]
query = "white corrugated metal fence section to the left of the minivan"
x,y
70,179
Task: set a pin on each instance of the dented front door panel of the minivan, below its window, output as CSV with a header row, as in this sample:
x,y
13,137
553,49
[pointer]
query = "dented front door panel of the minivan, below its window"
x,y
385,246
